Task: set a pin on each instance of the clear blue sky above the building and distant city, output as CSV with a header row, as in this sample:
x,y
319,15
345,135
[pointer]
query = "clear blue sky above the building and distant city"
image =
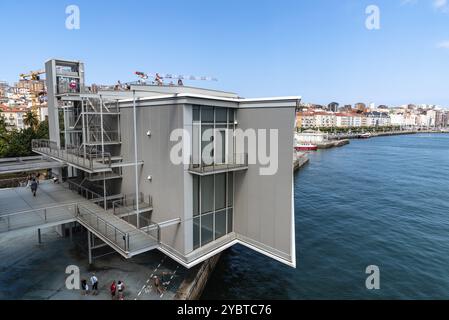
x,y
318,49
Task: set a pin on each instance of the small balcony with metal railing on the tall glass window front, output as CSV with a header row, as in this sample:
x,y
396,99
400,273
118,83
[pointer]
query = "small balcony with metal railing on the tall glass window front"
x,y
235,161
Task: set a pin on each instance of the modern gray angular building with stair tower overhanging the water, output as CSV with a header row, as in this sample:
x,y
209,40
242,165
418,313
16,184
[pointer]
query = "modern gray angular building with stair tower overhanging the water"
x,y
187,171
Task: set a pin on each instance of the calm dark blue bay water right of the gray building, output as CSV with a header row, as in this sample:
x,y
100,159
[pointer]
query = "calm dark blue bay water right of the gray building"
x,y
383,201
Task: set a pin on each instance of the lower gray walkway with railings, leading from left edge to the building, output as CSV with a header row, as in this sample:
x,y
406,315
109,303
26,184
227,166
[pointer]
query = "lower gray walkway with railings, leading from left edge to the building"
x,y
56,205
